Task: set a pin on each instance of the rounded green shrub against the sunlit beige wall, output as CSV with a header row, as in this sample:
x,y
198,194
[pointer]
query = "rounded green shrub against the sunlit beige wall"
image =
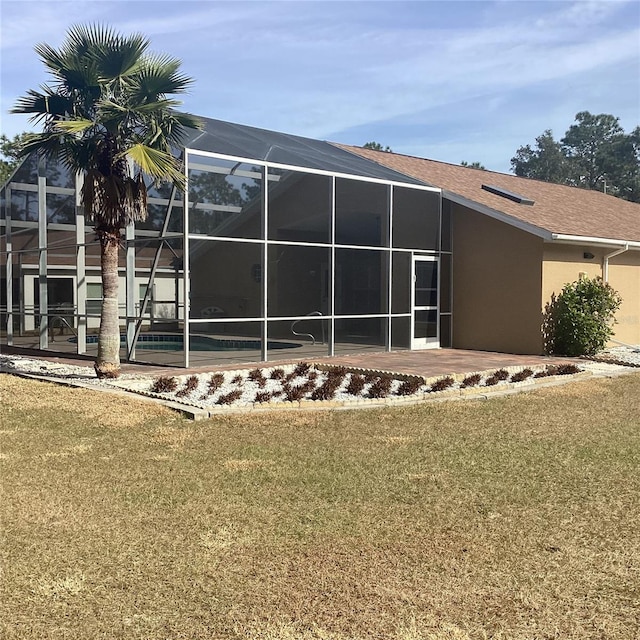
x,y
579,321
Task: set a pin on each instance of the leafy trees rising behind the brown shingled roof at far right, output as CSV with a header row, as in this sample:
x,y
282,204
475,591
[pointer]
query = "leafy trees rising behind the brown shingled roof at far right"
x,y
595,153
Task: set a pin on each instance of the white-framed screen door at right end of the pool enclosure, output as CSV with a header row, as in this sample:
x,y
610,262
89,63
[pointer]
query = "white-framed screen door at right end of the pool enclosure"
x,y
424,303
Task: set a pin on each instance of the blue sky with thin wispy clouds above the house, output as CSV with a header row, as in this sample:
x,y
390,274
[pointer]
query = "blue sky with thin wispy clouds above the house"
x,y
448,80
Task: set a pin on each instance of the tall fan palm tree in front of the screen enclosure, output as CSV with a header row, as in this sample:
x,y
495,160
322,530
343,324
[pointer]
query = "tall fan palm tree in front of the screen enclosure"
x,y
108,115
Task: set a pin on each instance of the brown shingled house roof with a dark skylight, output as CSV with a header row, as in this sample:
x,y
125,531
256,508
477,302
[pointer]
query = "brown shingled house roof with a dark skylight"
x,y
557,210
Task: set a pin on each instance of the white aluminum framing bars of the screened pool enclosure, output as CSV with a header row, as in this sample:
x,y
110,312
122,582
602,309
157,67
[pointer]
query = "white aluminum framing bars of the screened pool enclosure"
x,y
266,173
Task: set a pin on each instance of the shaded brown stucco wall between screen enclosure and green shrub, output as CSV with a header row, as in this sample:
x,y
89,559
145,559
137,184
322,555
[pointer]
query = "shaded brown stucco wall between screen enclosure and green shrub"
x,y
497,283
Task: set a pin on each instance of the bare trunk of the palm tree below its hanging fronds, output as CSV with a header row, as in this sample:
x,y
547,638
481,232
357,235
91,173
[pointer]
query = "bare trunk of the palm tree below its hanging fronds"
x,y
108,361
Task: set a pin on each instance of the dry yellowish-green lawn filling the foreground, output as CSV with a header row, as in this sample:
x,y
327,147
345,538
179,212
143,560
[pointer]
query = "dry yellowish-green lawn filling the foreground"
x,y
516,517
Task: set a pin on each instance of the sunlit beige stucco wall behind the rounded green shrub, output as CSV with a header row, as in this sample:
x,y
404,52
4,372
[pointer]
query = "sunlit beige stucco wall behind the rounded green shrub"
x,y
565,263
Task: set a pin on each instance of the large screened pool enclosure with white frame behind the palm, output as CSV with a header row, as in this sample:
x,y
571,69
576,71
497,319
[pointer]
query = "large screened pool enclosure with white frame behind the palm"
x,y
282,248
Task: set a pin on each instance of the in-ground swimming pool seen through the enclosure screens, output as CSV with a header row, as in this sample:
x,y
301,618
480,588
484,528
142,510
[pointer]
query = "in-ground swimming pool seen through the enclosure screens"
x,y
175,342
